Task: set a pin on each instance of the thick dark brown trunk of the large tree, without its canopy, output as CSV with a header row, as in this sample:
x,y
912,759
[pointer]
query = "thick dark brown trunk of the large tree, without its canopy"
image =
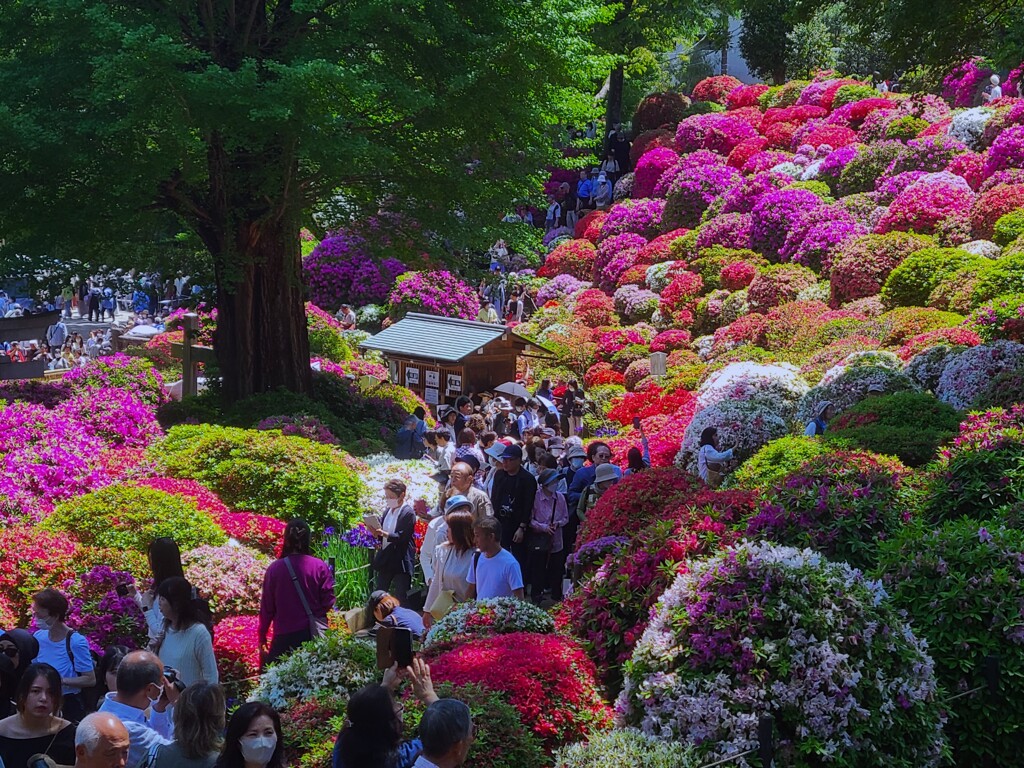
x,y
262,343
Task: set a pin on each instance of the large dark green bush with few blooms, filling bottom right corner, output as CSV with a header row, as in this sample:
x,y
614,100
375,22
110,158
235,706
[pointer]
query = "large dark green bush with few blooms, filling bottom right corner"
x,y
963,587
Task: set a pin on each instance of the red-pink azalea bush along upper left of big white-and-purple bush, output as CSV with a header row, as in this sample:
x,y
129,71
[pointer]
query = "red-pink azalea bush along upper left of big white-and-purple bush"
x,y
612,609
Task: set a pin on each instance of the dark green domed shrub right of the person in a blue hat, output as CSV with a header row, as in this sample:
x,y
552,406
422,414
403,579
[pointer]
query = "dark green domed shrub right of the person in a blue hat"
x,y
911,426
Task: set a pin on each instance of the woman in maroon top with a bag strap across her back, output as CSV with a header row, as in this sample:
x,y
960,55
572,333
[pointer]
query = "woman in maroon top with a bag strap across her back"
x,y
298,592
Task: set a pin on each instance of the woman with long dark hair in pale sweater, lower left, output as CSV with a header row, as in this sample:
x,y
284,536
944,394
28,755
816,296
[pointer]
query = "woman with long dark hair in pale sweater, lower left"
x,y
186,644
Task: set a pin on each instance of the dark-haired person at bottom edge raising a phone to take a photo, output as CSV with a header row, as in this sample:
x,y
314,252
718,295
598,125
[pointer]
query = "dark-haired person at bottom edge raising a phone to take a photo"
x,y
372,737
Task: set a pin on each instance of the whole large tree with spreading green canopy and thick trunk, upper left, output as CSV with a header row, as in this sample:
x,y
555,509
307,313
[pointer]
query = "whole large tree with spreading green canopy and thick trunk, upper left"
x,y
239,118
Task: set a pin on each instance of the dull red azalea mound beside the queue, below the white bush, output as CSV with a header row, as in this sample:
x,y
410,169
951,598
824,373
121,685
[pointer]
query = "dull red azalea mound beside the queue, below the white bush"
x,y
646,497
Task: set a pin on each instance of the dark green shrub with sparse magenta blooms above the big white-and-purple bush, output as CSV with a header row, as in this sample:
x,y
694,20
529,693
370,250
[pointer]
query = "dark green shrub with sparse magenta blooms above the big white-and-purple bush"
x,y
840,504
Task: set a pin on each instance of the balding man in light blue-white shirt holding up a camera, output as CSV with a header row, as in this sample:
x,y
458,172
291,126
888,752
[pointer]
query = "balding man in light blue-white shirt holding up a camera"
x,y
142,687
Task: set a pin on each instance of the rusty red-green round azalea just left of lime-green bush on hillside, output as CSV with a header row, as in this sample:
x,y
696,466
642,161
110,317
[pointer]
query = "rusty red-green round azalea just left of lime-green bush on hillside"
x,y
863,264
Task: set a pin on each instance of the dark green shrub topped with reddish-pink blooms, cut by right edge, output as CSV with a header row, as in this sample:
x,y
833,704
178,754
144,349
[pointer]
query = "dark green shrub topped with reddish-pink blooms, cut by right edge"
x,y
982,476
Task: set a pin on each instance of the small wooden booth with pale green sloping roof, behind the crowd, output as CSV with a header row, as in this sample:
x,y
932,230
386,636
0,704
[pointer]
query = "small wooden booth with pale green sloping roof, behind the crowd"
x,y
441,359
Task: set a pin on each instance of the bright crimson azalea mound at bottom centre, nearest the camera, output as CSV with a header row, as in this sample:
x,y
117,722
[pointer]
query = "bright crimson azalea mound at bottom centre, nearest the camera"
x,y
547,678
